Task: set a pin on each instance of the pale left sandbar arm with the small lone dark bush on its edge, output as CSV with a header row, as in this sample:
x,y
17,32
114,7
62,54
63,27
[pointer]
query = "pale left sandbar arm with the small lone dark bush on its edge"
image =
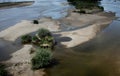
x,y
26,27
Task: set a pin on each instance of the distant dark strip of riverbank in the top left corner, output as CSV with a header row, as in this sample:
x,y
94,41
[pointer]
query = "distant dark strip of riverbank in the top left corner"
x,y
15,4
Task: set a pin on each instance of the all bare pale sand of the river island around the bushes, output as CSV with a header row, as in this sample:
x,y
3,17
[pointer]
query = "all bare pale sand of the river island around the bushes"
x,y
87,26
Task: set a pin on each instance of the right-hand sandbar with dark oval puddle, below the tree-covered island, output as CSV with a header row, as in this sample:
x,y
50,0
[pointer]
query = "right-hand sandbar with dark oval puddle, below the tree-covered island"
x,y
89,25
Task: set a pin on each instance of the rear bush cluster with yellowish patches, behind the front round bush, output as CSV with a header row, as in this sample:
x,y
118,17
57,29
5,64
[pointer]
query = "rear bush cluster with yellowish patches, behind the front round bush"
x,y
43,39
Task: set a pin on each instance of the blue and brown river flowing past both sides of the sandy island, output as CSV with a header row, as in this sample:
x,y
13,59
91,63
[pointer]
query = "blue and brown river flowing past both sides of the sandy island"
x,y
97,57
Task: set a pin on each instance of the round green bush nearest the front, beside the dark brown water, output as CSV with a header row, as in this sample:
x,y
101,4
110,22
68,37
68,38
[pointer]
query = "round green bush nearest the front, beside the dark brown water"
x,y
42,59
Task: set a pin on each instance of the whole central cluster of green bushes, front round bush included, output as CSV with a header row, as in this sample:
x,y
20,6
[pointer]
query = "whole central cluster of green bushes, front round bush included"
x,y
43,55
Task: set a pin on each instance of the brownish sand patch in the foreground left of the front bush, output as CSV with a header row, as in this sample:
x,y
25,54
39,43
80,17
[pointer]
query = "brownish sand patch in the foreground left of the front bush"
x,y
19,64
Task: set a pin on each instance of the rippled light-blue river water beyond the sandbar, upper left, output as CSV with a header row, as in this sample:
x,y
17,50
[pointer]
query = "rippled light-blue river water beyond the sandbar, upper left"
x,y
41,8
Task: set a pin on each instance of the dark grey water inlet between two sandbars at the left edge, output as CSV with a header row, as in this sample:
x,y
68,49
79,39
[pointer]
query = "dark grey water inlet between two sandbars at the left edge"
x,y
7,48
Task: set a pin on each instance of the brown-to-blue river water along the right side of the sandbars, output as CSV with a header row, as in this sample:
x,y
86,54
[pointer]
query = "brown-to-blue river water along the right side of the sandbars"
x,y
97,57
